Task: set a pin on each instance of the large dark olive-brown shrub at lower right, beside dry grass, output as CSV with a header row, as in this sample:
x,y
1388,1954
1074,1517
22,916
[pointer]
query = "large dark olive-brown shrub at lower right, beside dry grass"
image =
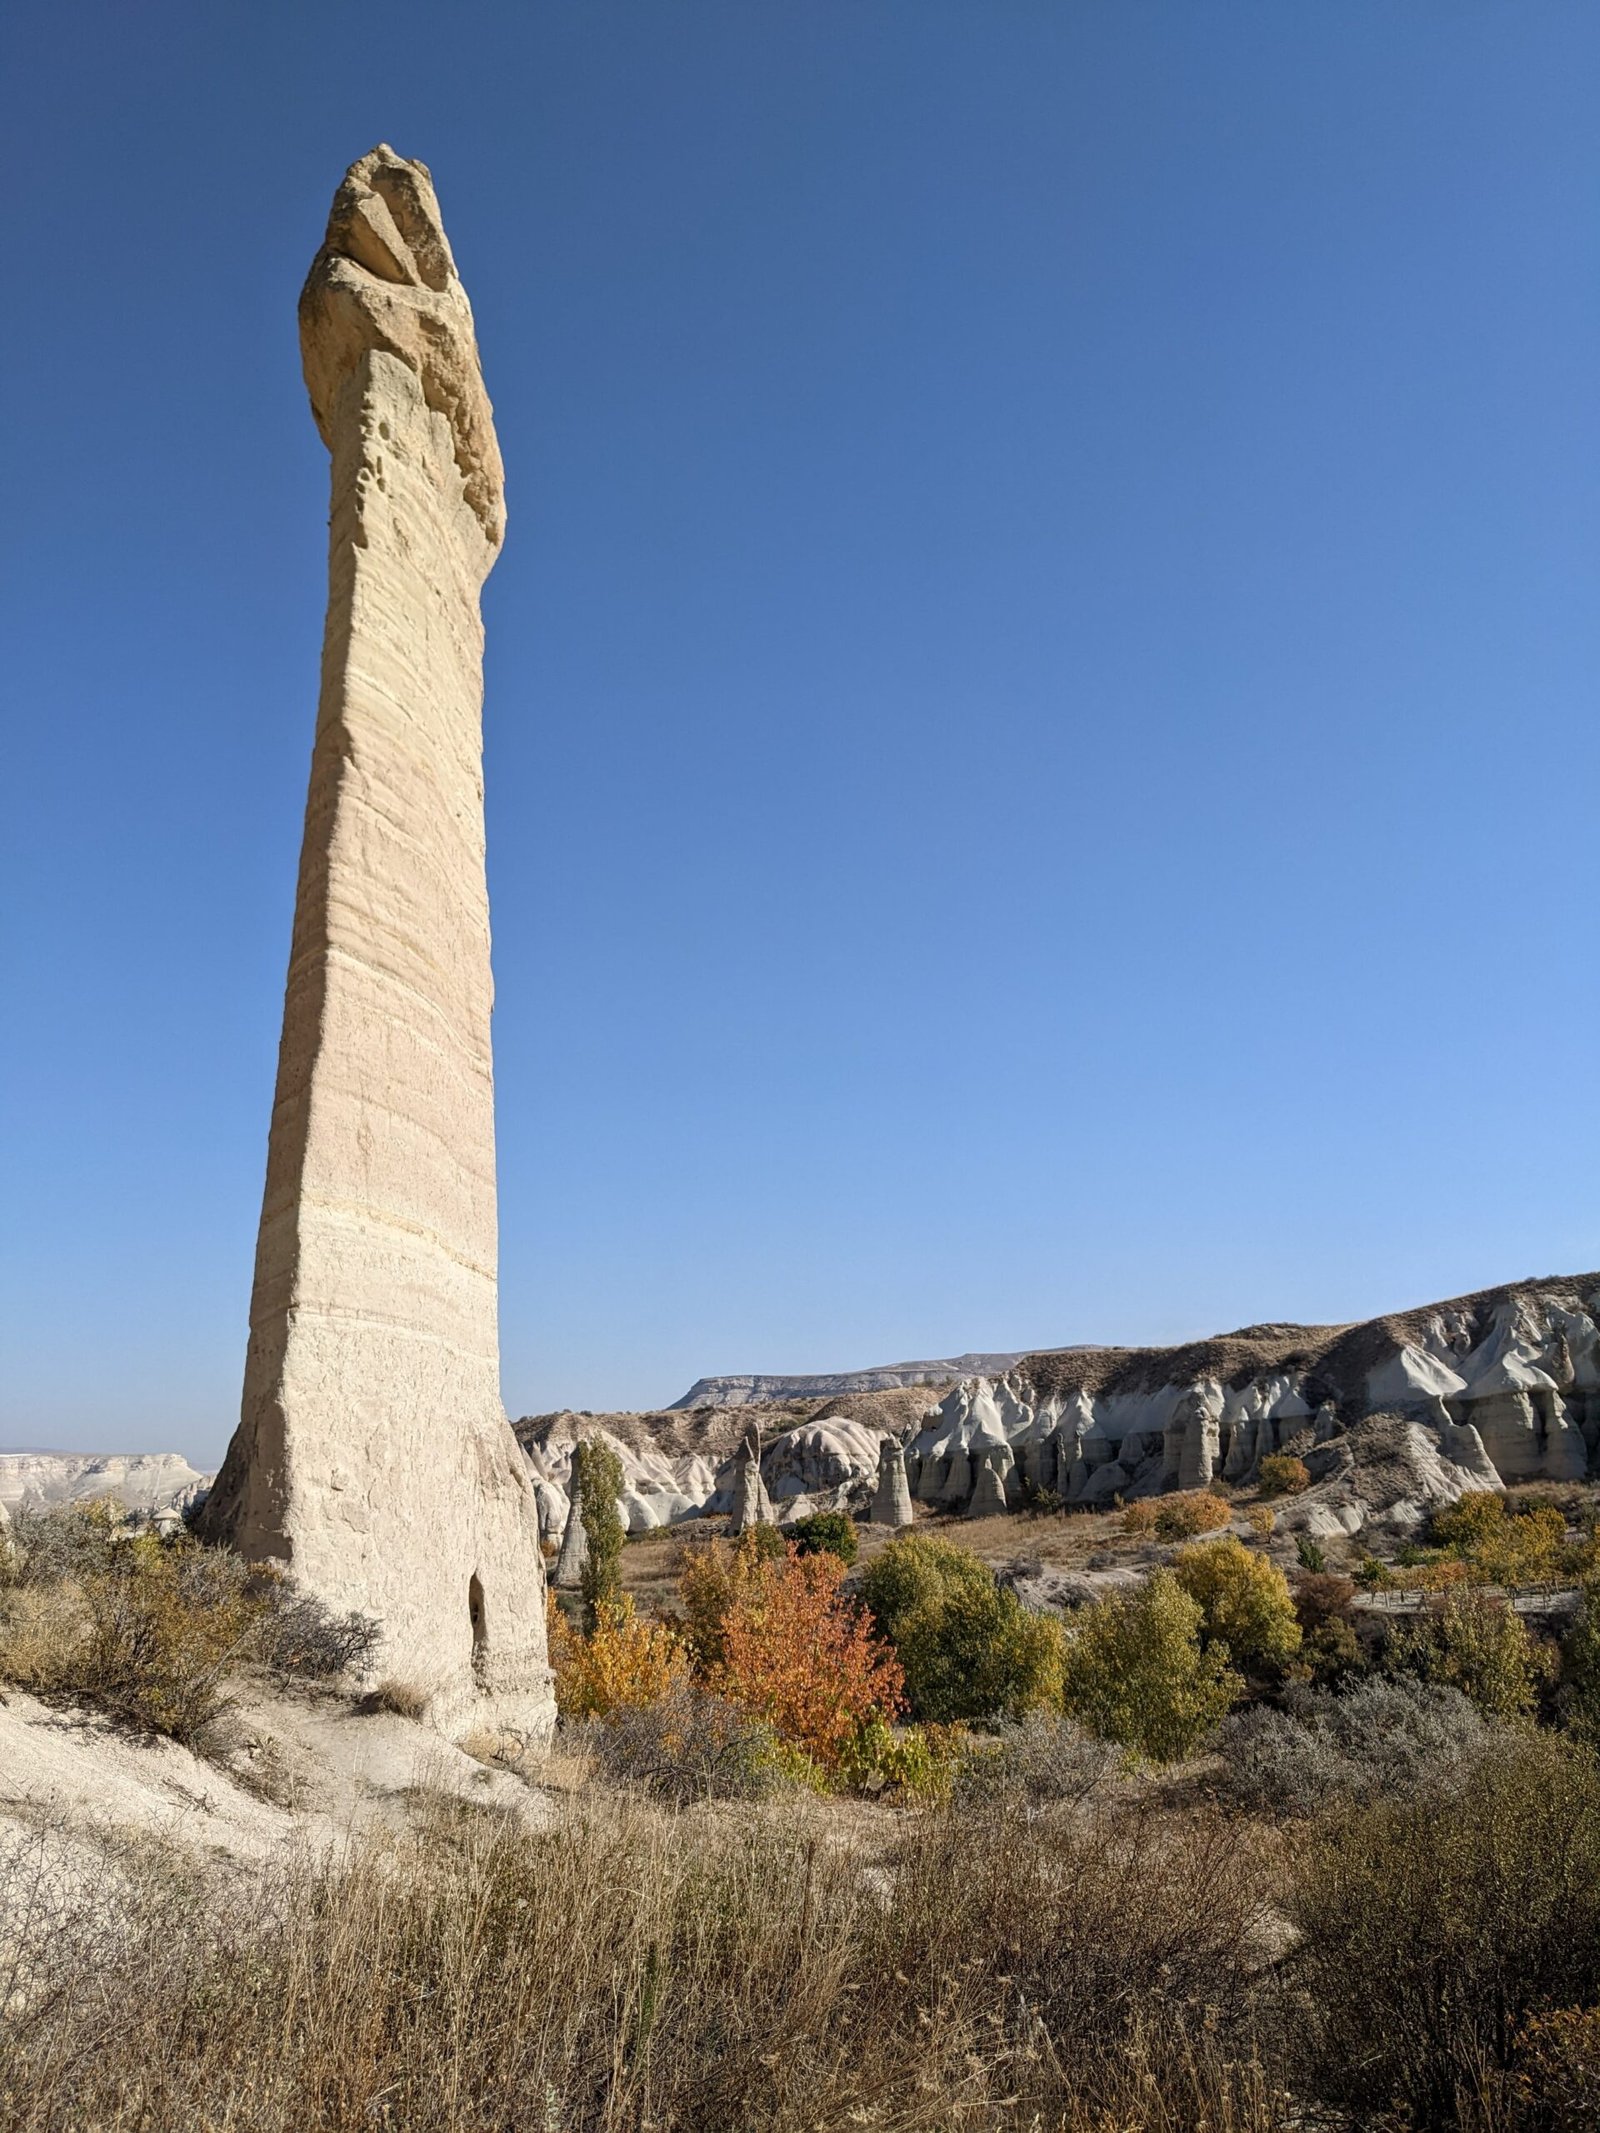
x,y
1435,1927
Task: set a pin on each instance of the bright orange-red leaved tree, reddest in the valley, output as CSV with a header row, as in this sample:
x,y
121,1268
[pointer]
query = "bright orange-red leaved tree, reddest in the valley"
x,y
790,1648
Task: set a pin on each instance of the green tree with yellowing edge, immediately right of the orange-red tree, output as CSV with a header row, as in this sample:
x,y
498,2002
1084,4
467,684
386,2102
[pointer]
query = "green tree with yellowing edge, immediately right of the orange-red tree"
x,y
970,1648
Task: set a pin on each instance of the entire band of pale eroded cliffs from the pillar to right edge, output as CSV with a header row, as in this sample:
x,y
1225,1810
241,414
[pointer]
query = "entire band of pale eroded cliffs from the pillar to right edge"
x,y
1390,1415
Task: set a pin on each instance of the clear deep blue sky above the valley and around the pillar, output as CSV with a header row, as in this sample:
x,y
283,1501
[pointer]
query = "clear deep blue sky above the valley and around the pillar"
x,y
1042,684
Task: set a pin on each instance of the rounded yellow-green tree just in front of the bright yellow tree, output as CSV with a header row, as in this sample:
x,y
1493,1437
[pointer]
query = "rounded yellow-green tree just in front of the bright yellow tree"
x,y
1138,1673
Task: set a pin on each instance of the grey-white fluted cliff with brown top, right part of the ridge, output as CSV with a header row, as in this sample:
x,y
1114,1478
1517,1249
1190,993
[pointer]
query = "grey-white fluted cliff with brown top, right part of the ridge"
x,y
1494,1388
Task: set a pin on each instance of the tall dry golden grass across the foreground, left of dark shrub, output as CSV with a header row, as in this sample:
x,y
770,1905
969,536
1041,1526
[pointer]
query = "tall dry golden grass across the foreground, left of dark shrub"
x,y
637,1970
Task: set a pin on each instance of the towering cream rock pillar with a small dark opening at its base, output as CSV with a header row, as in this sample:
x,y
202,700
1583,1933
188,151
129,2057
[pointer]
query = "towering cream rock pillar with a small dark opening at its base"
x,y
372,1456
